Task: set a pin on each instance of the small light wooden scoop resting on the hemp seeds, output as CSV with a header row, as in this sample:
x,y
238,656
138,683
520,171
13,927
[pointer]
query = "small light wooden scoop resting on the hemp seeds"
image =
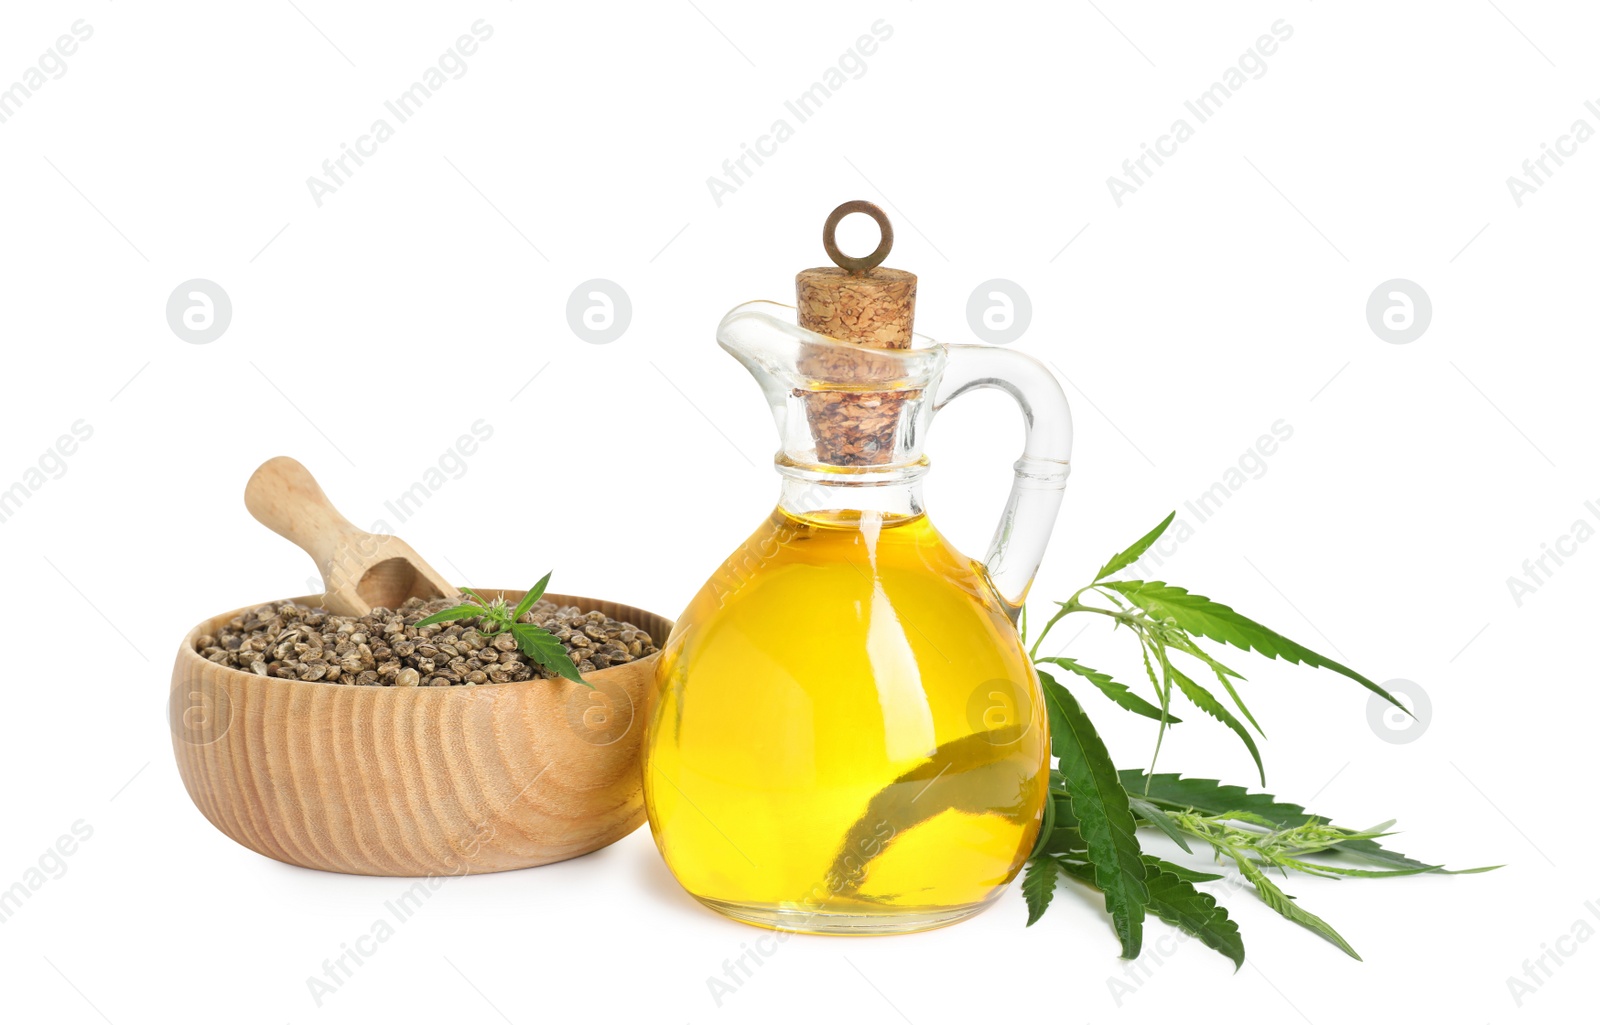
x,y
359,570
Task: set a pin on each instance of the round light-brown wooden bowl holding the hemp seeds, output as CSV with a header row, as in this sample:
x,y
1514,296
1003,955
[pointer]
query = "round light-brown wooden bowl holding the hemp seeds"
x,y
415,781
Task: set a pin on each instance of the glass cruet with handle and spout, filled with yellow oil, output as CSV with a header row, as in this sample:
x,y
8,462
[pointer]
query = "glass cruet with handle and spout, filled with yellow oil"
x,y
847,735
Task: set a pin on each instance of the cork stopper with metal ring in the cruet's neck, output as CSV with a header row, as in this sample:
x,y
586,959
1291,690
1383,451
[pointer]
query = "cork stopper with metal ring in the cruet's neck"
x,y
862,305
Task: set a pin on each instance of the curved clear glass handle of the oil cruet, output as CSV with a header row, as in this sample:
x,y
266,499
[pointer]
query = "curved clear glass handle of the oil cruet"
x,y
1031,509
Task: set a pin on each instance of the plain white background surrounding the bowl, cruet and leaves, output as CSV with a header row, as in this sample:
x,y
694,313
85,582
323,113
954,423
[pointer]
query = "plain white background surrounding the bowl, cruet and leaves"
x,y
1225,295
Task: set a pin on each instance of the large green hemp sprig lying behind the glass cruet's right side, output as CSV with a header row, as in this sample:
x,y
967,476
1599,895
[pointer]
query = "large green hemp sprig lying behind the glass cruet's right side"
x,y
1095,812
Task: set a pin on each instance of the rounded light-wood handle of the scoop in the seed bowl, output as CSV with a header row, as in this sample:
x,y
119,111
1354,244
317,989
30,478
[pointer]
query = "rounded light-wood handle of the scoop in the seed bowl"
x,y
289,501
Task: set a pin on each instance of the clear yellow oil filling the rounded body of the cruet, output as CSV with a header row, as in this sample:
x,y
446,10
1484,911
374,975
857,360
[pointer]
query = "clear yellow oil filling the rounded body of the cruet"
x,y
847,735
